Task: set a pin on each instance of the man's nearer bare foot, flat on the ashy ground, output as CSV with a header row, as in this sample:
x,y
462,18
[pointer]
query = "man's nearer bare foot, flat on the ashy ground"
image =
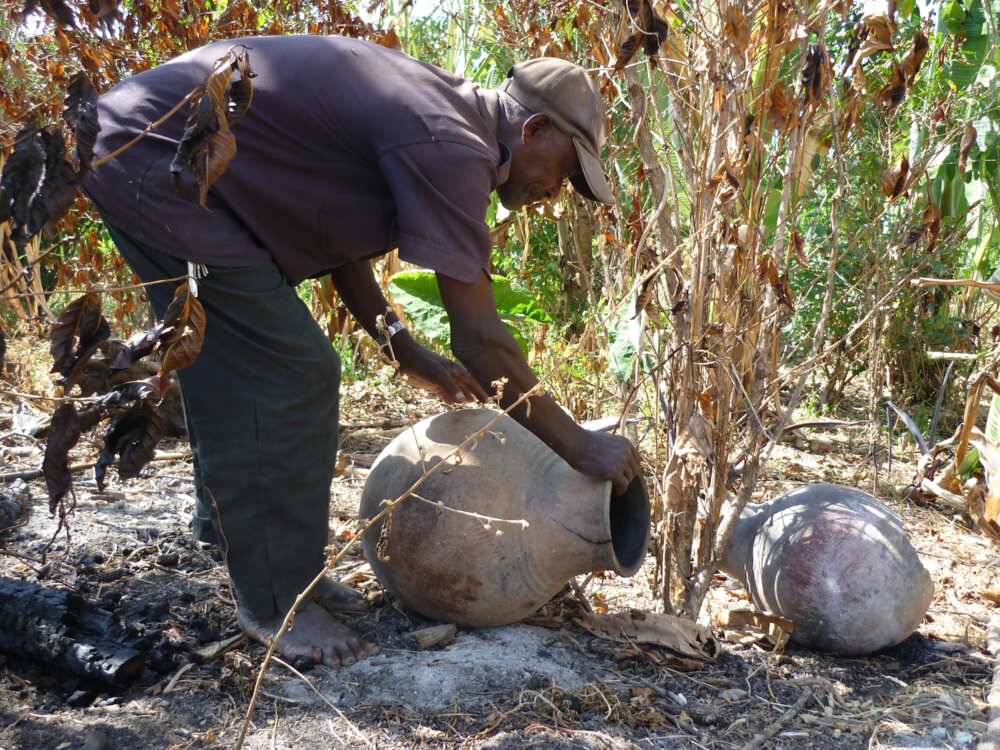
x,y
314,635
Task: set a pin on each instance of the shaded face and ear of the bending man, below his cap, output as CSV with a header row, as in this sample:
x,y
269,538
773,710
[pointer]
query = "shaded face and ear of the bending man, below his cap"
x,y
539,165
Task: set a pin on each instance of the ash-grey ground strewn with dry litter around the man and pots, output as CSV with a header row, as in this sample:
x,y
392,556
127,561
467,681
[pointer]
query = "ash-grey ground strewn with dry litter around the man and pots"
x,y
546,683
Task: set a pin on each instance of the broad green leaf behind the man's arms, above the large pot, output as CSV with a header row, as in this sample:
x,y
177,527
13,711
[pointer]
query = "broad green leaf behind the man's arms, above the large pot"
x,y
417,292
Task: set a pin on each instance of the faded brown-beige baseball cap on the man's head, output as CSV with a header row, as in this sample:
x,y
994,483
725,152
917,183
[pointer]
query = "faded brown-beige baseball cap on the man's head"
x,y
564,92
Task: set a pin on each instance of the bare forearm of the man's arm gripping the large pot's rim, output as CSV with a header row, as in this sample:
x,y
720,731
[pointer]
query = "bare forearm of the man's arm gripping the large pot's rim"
x,y
495,355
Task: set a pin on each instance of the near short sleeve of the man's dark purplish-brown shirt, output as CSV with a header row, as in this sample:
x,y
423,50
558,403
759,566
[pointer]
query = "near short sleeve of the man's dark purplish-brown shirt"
x,y
442,190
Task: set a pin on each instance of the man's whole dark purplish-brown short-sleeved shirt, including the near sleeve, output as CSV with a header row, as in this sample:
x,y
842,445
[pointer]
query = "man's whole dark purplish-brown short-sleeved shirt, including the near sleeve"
x,y
348,151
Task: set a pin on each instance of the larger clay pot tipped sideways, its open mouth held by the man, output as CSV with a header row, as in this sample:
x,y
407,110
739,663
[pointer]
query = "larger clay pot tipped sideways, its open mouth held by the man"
x,y
459,569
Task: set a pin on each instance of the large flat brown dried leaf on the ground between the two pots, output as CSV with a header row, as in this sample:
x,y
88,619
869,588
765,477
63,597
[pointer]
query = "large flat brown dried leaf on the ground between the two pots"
x,y
679,635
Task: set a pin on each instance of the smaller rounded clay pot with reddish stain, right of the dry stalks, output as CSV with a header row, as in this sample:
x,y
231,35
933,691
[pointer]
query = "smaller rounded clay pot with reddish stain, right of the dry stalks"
x,y
837,563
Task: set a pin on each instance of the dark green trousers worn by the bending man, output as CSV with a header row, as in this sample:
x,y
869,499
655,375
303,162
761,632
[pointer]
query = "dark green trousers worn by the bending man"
x,y
261,409
